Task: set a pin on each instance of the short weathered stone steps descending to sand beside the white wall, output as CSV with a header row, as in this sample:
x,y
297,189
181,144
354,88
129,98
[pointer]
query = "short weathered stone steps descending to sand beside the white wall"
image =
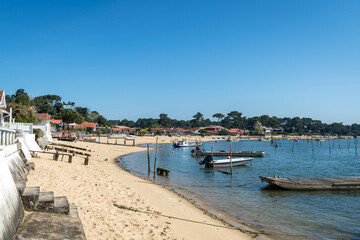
x,y
34,200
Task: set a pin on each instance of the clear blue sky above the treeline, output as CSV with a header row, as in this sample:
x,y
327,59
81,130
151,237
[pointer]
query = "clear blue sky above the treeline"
x,y
131,59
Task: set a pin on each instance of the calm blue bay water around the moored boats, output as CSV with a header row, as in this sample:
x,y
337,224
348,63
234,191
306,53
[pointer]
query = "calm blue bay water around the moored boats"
x,y
280,214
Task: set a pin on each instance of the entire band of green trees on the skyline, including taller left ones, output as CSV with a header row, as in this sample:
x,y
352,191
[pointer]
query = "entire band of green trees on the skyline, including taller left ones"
x,y
67,111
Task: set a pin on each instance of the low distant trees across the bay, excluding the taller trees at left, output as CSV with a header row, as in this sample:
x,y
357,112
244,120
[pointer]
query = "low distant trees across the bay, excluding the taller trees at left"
x,y
235,119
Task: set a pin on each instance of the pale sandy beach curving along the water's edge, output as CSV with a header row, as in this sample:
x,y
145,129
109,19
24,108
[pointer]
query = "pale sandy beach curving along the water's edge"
x,y
95,189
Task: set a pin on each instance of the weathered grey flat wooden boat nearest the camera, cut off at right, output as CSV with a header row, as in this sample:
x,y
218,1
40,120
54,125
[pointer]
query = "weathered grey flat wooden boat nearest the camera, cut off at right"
x,y
347,183
